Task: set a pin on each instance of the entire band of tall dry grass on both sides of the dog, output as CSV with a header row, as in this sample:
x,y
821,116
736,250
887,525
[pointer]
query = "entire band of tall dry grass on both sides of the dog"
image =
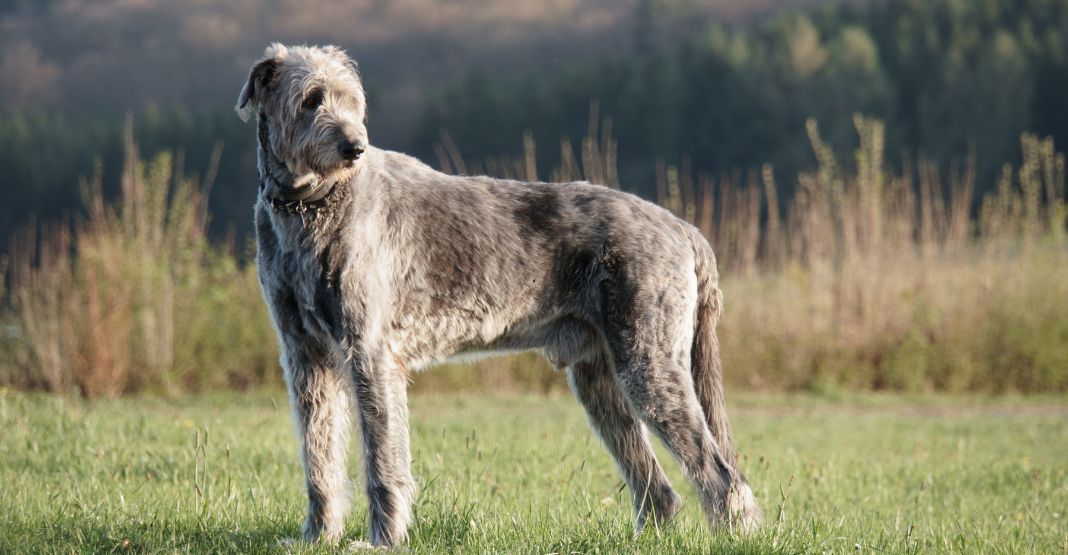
x,y
863,278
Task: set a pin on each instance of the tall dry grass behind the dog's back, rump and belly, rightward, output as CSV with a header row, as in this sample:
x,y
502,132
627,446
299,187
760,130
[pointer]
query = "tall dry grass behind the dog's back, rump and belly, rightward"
x,y
865,278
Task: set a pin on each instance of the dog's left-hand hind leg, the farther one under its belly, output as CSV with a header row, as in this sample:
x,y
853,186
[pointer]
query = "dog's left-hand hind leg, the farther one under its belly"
x,y
624,437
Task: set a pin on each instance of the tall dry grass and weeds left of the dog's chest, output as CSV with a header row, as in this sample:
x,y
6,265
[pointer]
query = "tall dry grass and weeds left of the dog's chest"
x,y
134,296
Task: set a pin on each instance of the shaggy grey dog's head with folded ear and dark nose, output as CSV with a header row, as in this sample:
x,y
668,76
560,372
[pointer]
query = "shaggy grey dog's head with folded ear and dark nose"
x,y
312,112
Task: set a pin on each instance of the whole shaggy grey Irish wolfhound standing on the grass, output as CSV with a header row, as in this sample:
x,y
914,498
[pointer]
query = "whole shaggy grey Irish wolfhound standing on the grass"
x,y
375,265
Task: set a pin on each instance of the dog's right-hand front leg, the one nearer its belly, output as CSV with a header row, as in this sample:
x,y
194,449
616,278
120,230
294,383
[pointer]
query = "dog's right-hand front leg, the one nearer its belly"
x,y
383,404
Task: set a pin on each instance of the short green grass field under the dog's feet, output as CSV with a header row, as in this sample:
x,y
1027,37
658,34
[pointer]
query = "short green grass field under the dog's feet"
x,y
219,473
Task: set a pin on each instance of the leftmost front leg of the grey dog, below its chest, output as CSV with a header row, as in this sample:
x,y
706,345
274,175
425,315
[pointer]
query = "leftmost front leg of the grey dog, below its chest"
x,y
321,399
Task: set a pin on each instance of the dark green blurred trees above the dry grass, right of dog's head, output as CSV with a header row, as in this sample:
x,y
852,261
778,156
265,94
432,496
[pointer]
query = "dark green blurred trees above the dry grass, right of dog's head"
x,y
949,76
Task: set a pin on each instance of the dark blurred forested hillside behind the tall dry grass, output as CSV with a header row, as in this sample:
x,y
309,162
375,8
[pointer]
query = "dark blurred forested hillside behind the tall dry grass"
x,y
949,77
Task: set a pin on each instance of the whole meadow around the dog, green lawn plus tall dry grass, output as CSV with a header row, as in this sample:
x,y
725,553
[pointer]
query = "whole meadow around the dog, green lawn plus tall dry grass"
x,y
896,348
